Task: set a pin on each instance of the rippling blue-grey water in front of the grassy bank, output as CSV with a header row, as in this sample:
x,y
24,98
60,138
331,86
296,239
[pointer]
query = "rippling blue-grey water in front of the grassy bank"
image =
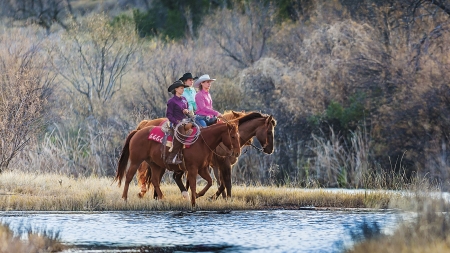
x,y
235,231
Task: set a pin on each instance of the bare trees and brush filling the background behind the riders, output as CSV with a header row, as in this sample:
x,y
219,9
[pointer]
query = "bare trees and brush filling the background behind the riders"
x,y
359,88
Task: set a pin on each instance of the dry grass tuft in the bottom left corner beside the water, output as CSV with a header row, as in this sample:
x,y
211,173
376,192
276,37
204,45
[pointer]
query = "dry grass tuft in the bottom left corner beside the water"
x,y
36,242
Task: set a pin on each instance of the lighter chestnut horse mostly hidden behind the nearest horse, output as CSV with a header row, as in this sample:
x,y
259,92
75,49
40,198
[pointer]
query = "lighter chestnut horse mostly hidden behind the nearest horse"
x,y
144,168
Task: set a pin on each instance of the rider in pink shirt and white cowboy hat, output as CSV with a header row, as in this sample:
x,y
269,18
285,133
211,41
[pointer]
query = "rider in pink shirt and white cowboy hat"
x,y
205,114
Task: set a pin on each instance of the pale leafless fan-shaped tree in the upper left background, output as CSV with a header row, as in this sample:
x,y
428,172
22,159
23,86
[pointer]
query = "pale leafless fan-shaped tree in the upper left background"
x,y
95,57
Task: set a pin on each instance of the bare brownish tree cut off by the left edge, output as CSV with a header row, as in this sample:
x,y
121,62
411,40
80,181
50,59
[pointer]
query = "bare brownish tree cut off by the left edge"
x,y
25,85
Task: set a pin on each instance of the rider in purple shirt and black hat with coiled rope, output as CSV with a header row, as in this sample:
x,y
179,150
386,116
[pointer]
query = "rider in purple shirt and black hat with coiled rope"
x,y
177,109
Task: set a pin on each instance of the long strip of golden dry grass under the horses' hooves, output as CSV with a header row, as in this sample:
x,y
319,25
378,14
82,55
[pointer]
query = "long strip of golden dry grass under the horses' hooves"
x,y
52,192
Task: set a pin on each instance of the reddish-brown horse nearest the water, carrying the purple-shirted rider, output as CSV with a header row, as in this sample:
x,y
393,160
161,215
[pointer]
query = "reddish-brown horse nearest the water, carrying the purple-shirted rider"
x,y
138,149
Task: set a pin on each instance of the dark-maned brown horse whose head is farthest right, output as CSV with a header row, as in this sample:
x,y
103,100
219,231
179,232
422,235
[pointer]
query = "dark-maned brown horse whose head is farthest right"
x,y
253,124
